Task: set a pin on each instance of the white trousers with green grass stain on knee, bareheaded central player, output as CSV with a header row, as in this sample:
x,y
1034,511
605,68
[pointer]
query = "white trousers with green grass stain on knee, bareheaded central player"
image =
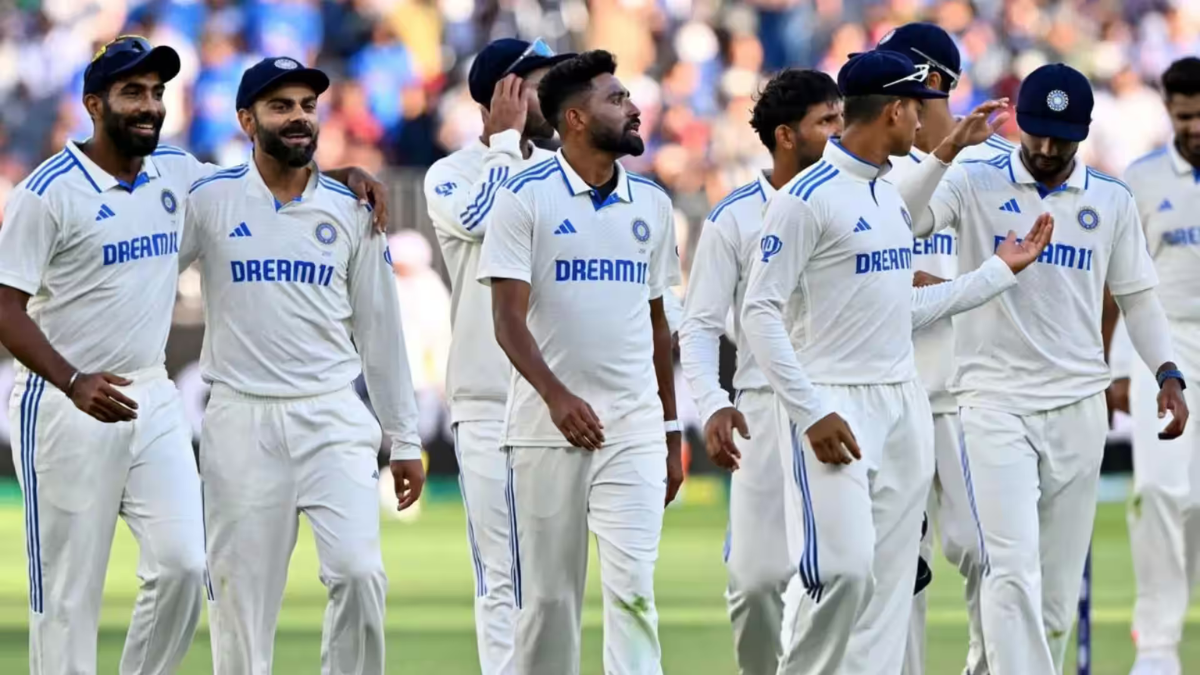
x,y
556,497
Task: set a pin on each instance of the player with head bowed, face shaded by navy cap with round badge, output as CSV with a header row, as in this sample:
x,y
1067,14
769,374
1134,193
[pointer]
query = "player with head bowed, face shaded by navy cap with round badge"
x,y
1030,367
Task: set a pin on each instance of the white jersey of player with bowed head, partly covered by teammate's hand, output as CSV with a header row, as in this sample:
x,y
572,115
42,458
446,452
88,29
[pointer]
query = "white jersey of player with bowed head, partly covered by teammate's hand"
x,y
1040,348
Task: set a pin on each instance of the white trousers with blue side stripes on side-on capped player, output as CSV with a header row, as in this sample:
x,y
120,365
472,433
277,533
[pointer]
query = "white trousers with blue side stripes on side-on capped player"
x,y
860,534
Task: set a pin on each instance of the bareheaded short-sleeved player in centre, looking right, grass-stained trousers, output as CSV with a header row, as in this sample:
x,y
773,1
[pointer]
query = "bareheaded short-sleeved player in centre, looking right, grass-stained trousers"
x,y
579,256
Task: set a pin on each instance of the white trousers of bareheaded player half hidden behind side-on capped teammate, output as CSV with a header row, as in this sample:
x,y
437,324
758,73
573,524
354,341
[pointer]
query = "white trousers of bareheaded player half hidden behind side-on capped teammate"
x,y
757,546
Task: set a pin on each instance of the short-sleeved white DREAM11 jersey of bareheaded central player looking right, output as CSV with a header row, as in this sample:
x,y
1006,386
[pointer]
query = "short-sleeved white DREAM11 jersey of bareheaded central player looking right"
x,y
593,267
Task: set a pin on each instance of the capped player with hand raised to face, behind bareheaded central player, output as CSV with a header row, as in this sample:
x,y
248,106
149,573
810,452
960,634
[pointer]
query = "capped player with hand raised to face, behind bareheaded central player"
x,y
459,189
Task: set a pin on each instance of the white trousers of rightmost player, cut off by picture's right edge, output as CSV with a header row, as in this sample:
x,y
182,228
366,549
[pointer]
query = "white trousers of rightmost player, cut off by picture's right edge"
x,y
1165,512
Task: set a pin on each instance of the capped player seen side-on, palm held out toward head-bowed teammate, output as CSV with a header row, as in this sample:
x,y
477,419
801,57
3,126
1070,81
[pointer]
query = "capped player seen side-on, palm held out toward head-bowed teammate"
x,y
837,250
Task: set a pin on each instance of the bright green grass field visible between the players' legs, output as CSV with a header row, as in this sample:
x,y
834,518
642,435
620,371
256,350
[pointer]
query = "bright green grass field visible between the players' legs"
x,y
430,623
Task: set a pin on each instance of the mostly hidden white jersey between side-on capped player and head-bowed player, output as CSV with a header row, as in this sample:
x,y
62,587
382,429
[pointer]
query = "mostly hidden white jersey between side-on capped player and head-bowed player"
x,y
938,255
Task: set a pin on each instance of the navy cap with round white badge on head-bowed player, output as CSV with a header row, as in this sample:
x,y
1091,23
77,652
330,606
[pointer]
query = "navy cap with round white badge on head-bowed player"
x,y
1055,101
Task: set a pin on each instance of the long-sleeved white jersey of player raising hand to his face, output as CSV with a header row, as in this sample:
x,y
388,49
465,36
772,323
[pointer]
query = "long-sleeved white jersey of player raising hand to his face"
x,y
459,190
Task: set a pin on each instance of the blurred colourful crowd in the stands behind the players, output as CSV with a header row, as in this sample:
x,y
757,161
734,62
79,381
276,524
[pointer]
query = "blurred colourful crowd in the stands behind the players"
x,y
694,67
